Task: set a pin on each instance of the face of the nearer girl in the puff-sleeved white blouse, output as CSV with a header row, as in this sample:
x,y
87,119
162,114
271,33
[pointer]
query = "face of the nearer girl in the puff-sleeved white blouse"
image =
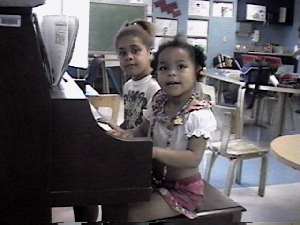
x,y
176,72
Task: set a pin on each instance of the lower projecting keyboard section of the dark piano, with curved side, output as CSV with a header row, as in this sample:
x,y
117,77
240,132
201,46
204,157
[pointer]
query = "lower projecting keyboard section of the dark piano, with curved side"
x,y
90,167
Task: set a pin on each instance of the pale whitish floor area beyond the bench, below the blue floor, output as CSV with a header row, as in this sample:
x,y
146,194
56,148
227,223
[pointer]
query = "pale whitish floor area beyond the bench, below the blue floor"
x,y
281,203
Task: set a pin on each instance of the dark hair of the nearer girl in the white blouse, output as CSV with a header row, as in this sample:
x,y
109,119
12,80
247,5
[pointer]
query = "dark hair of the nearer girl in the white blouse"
x,y
179,41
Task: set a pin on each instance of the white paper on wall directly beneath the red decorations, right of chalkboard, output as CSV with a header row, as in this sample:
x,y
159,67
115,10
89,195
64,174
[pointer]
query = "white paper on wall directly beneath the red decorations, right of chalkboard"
x,y
165,27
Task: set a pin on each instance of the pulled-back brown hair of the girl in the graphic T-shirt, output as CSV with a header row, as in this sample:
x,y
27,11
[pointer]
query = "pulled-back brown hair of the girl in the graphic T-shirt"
x,y
138,28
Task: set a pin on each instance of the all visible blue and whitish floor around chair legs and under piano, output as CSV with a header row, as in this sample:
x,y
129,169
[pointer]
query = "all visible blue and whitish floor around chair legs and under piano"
x,y
281,203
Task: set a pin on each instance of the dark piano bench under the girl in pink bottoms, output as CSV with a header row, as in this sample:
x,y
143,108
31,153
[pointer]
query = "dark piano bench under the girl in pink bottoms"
x,y
216,209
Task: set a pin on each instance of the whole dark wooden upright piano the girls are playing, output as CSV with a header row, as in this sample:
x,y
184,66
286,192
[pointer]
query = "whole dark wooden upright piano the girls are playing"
x,y
53,153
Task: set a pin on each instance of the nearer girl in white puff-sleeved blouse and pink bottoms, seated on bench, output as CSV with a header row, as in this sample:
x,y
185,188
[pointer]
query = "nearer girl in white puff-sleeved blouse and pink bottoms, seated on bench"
x,y
179,125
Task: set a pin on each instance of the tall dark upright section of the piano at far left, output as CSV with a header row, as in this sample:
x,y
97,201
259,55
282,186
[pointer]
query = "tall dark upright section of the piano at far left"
x,y
25,124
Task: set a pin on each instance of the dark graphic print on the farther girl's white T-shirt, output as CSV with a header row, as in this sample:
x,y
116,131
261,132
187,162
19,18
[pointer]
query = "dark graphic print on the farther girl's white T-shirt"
x,y
135,102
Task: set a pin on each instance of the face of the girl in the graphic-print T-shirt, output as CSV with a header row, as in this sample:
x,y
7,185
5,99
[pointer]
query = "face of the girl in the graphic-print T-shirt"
x,y
134,57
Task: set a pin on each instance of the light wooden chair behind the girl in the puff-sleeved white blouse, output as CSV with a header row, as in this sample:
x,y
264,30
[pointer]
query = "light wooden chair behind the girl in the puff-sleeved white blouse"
x,y
235,149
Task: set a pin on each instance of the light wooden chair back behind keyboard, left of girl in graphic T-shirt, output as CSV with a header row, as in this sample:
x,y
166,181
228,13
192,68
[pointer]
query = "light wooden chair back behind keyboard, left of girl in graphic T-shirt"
x,y
112,101
